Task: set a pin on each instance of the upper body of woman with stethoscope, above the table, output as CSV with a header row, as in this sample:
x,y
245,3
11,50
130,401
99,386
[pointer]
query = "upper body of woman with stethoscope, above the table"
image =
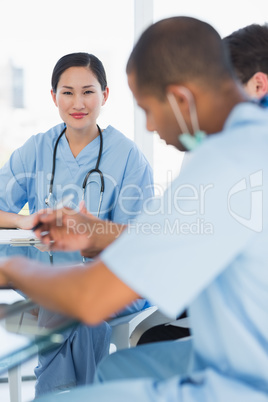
x,y
79,90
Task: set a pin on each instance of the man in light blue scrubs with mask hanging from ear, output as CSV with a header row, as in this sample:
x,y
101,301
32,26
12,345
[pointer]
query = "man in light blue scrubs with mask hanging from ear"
x,y
204,248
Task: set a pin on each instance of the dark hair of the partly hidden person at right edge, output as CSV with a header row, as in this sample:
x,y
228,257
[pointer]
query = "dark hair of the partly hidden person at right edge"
x,y
248,48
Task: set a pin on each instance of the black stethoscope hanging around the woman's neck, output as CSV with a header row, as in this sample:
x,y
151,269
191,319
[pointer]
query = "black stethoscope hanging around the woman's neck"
x,y
50,200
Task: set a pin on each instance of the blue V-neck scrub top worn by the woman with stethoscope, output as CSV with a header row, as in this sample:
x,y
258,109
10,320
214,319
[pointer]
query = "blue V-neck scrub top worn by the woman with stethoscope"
x,y
127,174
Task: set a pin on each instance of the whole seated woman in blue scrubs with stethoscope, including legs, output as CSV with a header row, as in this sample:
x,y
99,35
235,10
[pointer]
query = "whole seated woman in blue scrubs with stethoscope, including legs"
x,y
101,167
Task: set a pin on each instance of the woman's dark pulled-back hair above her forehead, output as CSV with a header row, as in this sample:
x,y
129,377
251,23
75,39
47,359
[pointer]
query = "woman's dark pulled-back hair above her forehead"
x,y
79,60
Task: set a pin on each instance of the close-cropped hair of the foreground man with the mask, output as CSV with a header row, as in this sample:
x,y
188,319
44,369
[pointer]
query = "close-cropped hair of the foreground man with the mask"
x,y
178,50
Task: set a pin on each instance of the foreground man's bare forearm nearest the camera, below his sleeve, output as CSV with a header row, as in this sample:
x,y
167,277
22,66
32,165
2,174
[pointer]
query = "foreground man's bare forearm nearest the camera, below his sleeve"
x,y
89,293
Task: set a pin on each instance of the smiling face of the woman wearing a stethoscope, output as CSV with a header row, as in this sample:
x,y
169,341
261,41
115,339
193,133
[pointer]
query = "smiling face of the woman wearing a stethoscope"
x,y
79,98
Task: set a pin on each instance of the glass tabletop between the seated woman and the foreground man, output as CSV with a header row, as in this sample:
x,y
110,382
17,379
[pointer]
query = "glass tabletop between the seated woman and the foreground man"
x,y
22,335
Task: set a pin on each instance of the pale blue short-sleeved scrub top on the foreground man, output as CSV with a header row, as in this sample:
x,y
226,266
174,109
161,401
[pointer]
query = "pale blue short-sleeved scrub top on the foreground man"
x,y
208,252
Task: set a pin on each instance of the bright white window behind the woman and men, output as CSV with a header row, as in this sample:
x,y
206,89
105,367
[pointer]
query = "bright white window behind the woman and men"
x,y
35,34
